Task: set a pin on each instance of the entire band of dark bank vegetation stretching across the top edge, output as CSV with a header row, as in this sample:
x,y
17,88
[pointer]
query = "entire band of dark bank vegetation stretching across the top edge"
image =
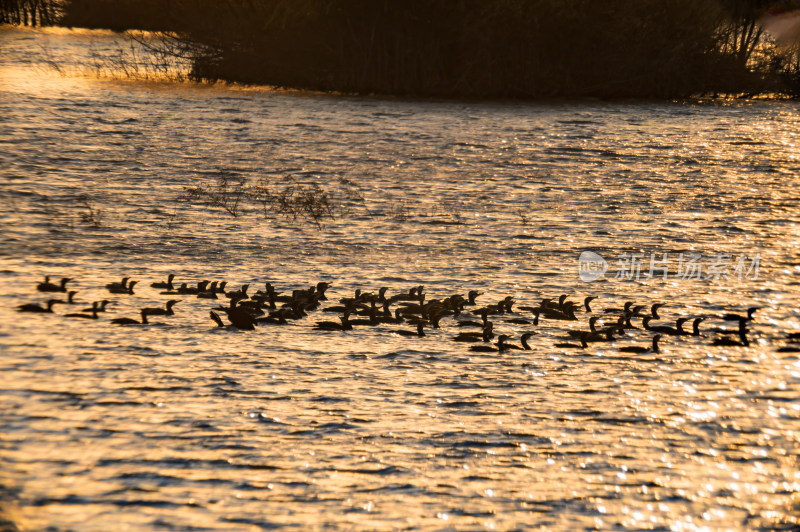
x,y
468,48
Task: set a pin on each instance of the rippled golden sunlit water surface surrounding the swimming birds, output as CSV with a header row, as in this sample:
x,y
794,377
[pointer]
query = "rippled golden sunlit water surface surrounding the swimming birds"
x,y
185,426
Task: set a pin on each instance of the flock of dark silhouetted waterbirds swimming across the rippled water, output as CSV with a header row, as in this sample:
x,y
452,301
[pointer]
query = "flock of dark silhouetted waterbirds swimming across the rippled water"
x,y
412,309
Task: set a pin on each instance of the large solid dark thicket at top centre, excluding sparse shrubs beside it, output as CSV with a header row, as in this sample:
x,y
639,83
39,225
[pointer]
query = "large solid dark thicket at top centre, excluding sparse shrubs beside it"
x,y
470,48
